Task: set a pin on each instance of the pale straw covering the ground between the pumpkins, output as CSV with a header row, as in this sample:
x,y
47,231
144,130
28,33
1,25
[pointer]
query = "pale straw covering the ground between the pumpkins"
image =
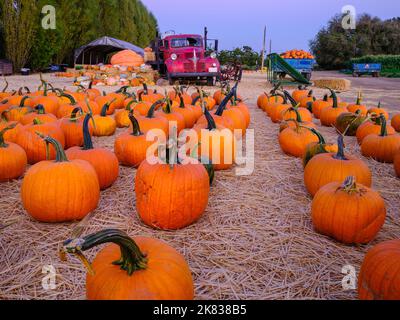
x,y
254,242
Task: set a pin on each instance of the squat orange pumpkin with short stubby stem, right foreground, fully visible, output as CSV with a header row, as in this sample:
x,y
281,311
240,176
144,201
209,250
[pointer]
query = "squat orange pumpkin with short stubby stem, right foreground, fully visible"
x,y
348,212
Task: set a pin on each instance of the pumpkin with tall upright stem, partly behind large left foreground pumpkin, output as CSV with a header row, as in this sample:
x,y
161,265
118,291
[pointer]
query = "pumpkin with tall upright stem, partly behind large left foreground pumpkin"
x,y
103,161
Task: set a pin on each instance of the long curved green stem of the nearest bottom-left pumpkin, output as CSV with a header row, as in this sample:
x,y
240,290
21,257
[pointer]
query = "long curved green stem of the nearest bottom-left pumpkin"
x,y
132,259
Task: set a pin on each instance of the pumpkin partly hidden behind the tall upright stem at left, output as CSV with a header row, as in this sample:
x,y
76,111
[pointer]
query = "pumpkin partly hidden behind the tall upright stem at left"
x,y
73,129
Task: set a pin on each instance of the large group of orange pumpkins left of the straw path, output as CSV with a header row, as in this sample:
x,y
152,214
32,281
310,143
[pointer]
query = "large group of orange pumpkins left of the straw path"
x,y
51,130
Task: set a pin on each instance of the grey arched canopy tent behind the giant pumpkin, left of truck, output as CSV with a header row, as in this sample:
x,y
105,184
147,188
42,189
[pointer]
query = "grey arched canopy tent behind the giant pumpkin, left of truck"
x,y
97,51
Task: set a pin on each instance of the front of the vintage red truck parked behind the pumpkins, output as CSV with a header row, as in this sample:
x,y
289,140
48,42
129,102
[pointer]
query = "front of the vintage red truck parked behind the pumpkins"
x,y
187,57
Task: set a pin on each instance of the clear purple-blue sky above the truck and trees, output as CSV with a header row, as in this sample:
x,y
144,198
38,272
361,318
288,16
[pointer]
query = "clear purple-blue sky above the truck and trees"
x,y
290,23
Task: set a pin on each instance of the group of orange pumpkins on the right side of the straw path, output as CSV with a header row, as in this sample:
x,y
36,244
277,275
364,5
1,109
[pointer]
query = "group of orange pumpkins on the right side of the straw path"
x,y
344,206
